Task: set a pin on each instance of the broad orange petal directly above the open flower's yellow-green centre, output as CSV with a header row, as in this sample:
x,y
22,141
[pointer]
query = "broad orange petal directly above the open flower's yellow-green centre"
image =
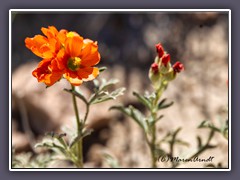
x,y
74,45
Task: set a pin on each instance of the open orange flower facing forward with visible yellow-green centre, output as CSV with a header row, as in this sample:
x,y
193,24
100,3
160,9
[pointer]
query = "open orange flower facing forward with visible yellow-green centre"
x,y
78,59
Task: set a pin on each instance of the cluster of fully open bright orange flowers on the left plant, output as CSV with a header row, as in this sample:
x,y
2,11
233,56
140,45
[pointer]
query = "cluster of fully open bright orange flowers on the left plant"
x,y
64,54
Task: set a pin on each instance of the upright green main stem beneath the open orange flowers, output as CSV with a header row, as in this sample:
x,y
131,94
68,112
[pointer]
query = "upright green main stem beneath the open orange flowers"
x,y
79,132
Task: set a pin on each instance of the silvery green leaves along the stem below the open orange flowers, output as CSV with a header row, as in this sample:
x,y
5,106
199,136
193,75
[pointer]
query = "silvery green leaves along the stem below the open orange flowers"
x,y
67,147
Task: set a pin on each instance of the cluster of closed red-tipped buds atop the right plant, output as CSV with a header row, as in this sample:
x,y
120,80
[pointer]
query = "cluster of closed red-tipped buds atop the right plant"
x,y
161,71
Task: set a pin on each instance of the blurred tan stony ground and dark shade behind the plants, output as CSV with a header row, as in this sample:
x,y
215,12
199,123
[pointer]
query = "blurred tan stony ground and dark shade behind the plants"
x,y
127,46
